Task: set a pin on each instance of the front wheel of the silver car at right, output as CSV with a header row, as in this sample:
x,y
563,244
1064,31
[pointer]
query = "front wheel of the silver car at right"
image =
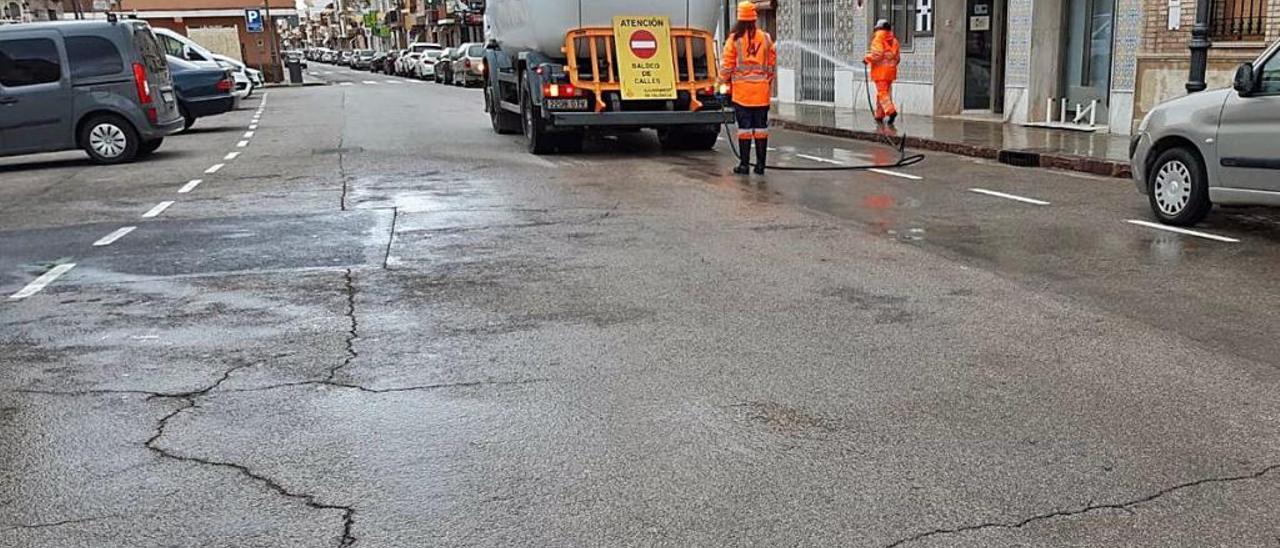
x,y
1178,188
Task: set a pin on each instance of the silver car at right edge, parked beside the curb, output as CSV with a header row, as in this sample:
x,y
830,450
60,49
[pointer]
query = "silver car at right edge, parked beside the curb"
x,y
1213,148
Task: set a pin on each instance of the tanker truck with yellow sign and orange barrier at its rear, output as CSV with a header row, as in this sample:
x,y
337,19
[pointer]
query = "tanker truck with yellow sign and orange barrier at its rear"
x,y
557,70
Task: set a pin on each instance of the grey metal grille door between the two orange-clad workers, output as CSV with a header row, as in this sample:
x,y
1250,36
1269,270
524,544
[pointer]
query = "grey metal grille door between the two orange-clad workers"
x,y
819,38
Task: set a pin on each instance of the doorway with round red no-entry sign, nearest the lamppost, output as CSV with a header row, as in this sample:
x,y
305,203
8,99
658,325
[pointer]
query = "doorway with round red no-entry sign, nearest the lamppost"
x,y
1087,53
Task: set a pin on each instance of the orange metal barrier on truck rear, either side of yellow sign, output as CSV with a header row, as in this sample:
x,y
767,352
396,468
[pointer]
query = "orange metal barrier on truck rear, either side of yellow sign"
x,y
683,42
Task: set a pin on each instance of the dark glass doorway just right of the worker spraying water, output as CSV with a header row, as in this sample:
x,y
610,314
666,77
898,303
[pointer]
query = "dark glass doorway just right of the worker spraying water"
x,y
985,56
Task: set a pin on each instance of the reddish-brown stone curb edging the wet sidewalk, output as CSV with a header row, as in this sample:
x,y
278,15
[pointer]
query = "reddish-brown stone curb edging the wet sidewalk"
x,y
1012,157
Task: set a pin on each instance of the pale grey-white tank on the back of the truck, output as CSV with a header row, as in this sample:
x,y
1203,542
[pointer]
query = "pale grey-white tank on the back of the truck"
x,y
542,25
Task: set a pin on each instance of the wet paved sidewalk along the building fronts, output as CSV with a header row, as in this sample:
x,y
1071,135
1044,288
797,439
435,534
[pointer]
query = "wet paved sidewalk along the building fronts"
x,y
1101,154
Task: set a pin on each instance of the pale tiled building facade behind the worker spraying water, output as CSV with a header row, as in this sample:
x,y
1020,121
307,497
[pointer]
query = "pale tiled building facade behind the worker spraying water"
x,y
1012,61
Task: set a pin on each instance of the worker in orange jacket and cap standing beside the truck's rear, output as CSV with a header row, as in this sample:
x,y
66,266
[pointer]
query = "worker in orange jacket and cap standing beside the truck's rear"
x,y
749,66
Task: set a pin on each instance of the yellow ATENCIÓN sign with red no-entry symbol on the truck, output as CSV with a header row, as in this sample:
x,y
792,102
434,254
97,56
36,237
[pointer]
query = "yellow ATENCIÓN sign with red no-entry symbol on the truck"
x,y
644,57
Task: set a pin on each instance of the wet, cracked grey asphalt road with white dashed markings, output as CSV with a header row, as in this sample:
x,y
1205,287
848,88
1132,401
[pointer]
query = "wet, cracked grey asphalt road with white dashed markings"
x,y
381,325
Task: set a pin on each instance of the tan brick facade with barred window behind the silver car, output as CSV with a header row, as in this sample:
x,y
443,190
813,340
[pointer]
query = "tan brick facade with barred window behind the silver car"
x,y
1240,31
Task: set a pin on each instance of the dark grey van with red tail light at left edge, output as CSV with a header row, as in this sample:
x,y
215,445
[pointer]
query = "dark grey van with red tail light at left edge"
x,y
102,86
